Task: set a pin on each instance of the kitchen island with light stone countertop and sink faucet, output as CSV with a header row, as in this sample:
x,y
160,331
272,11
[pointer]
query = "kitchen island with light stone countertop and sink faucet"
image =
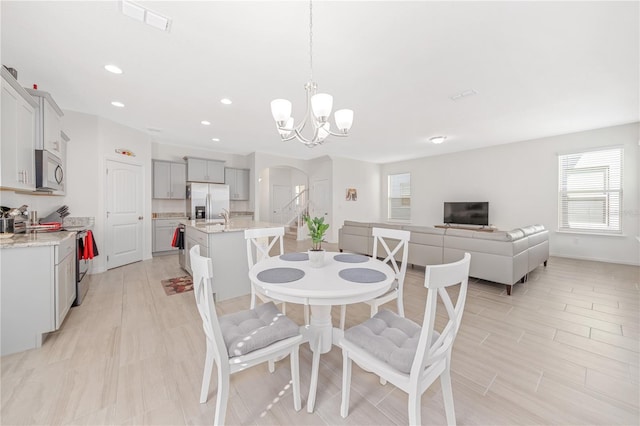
x,y
226,246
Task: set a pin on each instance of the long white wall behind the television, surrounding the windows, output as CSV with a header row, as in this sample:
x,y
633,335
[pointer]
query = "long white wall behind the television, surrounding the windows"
x,y
520,181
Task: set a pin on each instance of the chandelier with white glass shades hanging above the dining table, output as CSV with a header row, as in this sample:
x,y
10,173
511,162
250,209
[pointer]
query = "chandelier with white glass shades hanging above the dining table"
x,y
318,110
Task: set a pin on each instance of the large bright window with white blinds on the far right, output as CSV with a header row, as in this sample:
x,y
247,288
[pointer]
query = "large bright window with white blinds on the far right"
x,y
590,191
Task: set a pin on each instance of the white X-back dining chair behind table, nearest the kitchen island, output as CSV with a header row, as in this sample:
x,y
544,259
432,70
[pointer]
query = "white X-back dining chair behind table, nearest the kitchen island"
x,y
256,239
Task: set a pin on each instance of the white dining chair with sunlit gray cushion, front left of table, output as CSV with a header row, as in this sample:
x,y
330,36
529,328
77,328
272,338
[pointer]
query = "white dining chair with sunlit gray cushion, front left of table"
x,y
242,339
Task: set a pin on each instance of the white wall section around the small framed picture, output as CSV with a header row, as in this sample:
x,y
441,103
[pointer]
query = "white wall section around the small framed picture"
x,y
363,176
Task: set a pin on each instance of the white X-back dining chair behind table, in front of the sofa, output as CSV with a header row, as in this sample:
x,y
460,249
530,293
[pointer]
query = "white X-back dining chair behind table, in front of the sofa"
x,y
381,238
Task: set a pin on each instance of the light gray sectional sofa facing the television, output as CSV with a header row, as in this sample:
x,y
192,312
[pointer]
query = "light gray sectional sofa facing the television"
x,y
502,257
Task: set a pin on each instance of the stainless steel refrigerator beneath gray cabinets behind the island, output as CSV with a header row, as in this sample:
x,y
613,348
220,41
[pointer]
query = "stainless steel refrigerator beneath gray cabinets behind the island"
x,y
205,201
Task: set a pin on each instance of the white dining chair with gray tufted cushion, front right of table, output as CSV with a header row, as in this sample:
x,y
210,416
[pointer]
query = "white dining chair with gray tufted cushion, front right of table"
x,y
405,354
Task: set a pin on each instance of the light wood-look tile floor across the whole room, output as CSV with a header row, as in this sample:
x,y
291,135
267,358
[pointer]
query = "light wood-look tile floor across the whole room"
x,y
563,349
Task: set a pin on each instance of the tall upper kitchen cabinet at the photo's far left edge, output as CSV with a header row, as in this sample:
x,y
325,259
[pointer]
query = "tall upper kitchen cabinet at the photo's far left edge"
x,y
18,116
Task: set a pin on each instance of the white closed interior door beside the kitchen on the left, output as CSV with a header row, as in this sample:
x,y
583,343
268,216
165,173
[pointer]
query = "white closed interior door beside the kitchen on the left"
x,y
124,214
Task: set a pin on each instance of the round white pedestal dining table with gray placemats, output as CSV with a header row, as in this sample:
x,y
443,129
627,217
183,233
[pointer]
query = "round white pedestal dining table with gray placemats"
x,y
342,279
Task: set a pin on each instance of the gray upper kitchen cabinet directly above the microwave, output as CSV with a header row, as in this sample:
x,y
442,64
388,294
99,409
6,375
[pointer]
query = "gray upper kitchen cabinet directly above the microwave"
x,y
48,119
